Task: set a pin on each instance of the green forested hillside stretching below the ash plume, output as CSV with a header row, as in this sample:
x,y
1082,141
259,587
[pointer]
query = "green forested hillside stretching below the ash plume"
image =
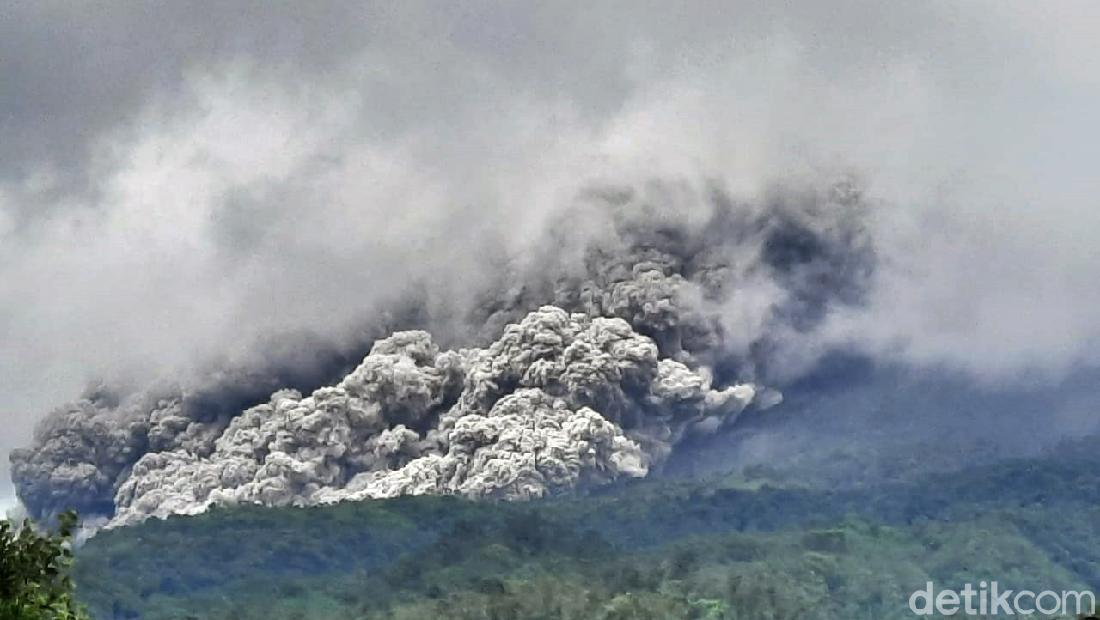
x,y
732,549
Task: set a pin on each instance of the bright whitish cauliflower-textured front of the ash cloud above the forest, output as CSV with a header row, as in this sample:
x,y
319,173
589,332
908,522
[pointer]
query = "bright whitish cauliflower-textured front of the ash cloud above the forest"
x,y
559,402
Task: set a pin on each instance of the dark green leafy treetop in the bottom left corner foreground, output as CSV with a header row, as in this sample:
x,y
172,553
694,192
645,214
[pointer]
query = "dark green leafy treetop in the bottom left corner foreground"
x,y
35,583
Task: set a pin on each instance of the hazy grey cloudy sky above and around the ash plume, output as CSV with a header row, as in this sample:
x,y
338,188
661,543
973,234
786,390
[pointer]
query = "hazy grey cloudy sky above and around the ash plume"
x,y
178,180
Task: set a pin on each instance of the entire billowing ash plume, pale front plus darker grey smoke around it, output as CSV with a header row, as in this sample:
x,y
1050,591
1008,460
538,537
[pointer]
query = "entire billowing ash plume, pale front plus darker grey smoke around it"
x,y
645,316
